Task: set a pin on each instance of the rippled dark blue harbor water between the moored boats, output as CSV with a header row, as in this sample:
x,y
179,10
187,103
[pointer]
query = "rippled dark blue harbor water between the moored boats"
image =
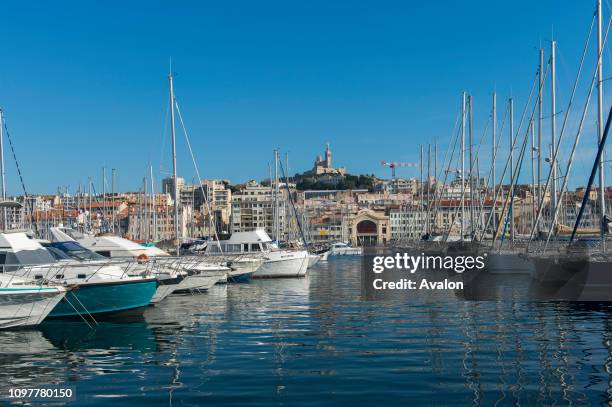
x,y
320,341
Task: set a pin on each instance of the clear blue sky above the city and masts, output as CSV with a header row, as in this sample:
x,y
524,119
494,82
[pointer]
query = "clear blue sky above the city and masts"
x,y
83,84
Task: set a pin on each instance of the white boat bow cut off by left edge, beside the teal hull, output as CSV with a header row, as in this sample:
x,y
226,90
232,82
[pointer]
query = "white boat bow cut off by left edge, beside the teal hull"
x,y
25,303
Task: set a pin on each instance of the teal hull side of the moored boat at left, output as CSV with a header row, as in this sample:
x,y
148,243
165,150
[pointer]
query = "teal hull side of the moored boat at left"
x,y
105,298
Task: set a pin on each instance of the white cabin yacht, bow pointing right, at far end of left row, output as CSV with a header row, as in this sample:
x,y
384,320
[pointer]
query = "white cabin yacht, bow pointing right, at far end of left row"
x,y
277,262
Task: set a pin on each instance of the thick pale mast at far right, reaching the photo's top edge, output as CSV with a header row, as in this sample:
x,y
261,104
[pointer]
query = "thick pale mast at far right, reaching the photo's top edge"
x,y
600,124
